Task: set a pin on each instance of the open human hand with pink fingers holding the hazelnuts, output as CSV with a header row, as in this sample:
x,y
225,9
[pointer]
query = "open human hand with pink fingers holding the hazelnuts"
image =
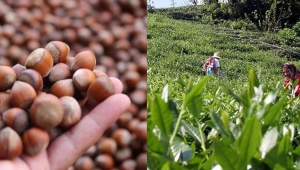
x,y
69,146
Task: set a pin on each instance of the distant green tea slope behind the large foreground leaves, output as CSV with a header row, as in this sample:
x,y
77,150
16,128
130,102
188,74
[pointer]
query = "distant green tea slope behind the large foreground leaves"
x,y
178,48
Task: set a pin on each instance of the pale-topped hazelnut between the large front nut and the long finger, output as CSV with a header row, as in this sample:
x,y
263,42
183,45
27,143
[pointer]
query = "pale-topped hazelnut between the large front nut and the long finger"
x,y
72,111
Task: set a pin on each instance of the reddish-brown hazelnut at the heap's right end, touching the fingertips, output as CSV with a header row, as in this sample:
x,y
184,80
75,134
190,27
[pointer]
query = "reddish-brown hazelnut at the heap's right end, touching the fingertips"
x,y
99,90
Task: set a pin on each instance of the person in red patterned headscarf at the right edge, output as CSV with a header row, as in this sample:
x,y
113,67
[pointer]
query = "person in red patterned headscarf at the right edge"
x,y
291,75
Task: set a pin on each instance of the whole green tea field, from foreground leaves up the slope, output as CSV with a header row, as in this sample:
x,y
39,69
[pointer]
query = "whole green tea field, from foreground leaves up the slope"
x,y
244,120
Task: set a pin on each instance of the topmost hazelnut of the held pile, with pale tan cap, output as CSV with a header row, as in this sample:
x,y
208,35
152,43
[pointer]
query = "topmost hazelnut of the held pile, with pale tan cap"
x,y
59,51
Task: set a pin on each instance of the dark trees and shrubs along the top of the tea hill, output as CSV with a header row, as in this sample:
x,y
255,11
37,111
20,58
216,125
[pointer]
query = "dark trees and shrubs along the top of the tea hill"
x,y
265,15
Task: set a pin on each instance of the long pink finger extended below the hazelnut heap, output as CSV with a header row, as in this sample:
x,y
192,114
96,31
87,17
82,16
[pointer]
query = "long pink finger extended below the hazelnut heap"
x,y
64,150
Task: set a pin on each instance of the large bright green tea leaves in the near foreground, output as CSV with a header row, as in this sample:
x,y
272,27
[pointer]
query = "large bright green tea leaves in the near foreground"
x,y
233,131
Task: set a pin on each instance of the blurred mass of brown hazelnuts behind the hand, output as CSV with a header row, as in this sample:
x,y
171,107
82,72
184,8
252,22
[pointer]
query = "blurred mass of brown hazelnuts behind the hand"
x,y
115,31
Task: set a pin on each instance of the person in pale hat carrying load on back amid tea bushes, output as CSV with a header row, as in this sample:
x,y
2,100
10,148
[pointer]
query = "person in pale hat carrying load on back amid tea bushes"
x,y
212,65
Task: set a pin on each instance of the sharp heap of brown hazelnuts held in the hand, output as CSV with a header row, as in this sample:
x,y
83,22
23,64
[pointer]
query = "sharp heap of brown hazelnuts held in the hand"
x,y
47,92
